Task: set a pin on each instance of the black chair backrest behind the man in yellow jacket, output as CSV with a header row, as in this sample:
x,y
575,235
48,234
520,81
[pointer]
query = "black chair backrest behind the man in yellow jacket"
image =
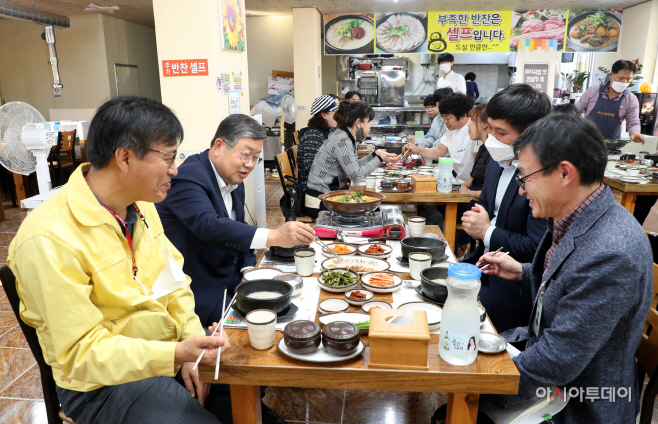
x,y
47,382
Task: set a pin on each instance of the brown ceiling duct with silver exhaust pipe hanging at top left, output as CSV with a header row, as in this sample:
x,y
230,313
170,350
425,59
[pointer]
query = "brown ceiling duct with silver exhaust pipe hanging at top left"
x,y
41,17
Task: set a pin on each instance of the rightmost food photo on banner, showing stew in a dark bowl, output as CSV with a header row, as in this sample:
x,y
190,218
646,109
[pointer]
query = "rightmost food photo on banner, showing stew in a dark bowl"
x,y
593,30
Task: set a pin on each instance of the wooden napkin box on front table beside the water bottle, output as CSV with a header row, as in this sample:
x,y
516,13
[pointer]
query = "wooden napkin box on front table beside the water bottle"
x,y
398,346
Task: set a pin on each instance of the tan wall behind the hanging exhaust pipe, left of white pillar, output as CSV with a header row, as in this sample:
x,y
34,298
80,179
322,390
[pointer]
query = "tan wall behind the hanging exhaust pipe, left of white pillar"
x,y
86,51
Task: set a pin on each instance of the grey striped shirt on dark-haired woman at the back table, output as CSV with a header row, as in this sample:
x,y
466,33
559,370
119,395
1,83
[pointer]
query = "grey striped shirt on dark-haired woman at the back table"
x,y
337,162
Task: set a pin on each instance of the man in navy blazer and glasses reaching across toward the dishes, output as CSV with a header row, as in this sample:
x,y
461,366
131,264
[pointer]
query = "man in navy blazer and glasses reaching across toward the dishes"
x,y
204,217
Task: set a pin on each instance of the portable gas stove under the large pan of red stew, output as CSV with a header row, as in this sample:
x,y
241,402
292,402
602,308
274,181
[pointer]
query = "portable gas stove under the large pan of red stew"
x,y
386,223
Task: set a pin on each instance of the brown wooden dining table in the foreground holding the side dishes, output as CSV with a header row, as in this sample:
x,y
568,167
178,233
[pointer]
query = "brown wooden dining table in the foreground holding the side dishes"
x,y
246,369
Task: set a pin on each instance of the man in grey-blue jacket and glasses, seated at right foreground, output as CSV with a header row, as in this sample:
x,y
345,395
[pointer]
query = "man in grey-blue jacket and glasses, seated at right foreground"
x,y
591,279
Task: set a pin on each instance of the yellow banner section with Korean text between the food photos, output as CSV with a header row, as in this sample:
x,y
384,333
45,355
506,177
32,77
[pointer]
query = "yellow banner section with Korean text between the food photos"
x,y
458,32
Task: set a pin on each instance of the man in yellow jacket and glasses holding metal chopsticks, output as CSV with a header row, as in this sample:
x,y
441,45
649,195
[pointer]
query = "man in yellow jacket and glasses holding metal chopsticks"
x,y
104,287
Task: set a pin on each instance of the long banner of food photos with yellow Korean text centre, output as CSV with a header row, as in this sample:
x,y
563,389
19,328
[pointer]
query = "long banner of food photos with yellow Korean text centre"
x,y
575,30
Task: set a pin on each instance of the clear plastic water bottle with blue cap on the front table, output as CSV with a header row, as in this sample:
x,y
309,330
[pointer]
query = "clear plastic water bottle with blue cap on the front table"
x,y
460,321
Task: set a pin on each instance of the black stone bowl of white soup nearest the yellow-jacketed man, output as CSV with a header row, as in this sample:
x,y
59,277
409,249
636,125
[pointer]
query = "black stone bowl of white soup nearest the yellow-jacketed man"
x,y
246,304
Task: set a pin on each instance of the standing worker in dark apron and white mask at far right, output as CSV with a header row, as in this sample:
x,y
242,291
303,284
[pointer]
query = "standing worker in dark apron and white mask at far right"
x,y
609,104
